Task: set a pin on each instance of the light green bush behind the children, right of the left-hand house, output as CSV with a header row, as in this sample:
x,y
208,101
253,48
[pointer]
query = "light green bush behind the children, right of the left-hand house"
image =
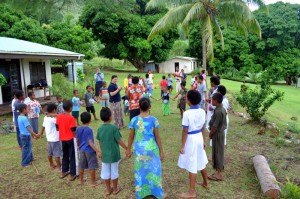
x,y
62,86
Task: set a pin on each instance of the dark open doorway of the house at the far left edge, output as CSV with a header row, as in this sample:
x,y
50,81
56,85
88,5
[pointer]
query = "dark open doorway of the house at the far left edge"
x,y
10,69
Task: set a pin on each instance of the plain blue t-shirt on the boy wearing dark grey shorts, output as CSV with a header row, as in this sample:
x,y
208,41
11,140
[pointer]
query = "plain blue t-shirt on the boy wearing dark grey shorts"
x,y
84,134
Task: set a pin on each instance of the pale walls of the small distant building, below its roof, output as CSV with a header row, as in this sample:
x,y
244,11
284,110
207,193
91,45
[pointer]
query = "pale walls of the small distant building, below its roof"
x,y
169,66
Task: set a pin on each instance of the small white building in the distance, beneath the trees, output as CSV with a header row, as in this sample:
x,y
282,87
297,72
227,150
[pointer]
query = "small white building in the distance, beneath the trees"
x,y
188,64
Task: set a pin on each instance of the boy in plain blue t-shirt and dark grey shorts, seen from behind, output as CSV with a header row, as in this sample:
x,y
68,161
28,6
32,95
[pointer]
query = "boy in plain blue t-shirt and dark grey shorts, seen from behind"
x,y
88,151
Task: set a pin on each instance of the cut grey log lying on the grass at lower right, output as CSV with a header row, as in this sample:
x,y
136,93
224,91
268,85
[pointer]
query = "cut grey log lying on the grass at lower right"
x,y
266,178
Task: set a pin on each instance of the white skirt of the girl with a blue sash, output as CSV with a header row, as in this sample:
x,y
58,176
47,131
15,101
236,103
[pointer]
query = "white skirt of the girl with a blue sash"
x,y
194,158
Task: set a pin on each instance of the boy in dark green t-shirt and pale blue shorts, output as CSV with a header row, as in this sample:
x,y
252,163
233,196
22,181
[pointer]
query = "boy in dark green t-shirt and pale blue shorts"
x,y
109,138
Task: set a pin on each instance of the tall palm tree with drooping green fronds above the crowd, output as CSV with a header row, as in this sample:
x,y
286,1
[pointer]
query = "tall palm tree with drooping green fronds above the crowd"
x,y
209,13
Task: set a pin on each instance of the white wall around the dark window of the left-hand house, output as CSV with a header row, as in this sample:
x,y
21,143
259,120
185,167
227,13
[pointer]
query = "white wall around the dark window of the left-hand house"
x,y
25,64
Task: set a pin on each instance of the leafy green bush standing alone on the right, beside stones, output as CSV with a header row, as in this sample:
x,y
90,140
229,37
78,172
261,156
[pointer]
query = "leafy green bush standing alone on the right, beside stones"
x,y
258,100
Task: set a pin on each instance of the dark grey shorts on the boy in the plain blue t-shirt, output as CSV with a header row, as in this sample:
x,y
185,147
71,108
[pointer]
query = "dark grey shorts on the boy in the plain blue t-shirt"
x,y
88,160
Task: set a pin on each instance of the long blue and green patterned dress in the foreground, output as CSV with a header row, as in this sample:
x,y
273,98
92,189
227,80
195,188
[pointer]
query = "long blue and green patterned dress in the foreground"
x,y
147,164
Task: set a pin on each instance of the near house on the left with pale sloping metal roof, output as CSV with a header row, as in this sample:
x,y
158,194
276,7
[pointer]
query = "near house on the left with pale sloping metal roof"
x,y
25,63
